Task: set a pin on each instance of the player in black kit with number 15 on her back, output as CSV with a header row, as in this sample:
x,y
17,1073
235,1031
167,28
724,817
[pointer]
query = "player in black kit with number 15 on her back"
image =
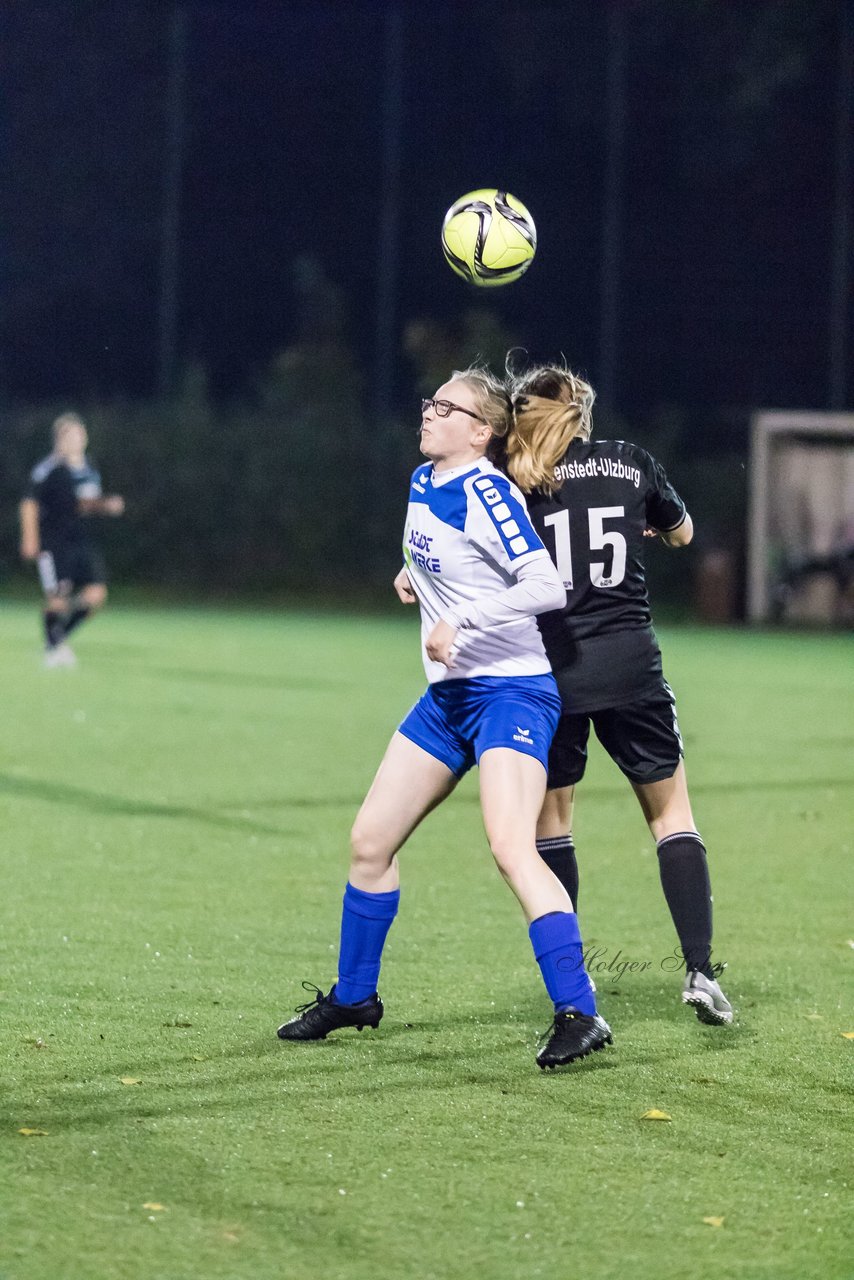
x,y
593,504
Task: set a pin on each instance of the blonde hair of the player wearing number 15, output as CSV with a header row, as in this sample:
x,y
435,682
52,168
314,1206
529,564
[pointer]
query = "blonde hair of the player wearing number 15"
x,y
552,408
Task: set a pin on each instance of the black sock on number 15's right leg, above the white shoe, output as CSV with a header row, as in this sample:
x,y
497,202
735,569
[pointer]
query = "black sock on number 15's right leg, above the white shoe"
x,y
686,880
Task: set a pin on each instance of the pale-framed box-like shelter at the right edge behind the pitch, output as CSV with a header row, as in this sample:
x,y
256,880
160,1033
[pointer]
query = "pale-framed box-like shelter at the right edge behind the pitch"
x,y
801,547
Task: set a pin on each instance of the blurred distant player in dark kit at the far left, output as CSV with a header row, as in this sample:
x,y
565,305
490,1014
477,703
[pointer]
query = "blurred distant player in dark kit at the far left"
x,y
65,491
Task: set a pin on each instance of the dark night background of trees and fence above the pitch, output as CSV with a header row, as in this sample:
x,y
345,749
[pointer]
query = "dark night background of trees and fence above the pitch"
x,y
222,245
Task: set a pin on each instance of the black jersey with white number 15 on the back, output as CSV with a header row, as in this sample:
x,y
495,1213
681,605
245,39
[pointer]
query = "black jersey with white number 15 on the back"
x,y
601,646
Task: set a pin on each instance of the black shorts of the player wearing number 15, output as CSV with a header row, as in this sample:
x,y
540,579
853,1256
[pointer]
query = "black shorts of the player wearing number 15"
x,y
642,739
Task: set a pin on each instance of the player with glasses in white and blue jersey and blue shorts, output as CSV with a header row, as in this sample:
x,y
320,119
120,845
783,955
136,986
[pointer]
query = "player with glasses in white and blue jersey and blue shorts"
x,y
479,574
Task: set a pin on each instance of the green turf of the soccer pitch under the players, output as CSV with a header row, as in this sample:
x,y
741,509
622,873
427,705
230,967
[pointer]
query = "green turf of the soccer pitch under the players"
x,y
176,817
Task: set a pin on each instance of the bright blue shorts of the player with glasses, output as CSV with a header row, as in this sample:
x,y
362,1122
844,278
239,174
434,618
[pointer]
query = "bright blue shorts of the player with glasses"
x,y
456,721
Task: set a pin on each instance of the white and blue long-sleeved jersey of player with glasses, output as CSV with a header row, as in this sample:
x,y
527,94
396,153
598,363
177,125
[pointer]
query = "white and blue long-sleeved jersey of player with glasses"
x,y
467,545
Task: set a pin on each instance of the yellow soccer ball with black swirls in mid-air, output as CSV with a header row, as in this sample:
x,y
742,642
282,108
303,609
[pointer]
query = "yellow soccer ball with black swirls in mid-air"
x,y
488,237
